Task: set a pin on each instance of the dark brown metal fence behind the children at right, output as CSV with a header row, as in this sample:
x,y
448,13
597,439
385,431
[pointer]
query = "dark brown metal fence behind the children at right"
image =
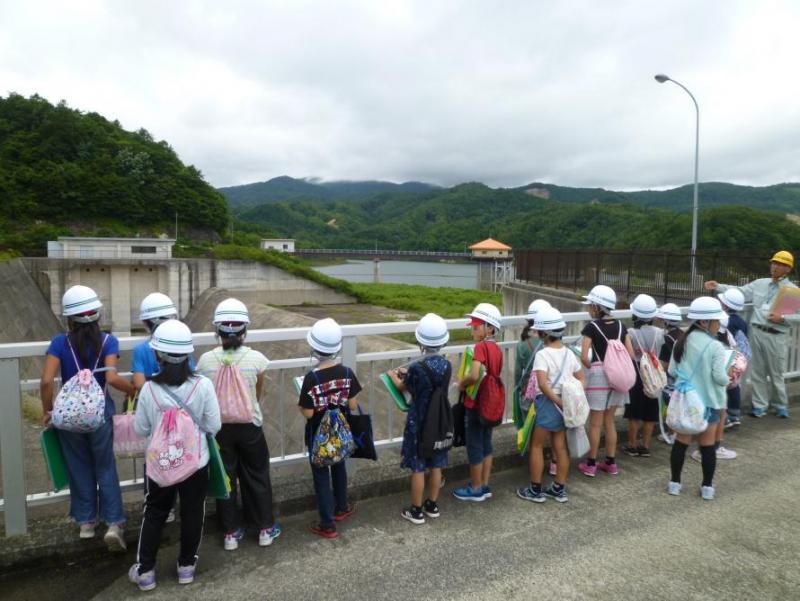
x,y
665,276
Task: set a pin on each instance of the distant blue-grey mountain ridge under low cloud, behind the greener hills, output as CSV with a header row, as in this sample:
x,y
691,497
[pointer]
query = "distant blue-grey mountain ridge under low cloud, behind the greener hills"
x,y
289,188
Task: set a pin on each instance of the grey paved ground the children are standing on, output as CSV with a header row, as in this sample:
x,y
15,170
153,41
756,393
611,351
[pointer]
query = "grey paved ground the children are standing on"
x,y
622,538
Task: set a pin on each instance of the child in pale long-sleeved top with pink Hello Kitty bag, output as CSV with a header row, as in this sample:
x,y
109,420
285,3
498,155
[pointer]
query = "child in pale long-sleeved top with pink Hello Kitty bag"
x,y
175,380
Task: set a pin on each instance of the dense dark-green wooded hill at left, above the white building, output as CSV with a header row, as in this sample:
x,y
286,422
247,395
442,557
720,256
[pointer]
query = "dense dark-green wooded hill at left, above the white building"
x,y
64,171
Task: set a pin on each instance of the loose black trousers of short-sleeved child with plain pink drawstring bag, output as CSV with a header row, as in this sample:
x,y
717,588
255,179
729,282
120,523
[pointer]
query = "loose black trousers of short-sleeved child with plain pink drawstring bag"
x,y
245,454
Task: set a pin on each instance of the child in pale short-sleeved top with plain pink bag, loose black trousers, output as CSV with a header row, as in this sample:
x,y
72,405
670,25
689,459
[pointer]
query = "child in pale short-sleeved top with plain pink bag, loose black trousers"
x,y
239,373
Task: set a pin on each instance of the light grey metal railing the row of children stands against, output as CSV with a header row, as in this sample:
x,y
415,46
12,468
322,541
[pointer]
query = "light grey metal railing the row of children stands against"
x,y
283,422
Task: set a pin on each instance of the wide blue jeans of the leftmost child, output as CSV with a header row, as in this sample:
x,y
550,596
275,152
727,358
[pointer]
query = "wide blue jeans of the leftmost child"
x,y
91,466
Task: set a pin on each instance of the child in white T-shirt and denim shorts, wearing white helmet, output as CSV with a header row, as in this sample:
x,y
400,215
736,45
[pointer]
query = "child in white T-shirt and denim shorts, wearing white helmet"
x,y
551,364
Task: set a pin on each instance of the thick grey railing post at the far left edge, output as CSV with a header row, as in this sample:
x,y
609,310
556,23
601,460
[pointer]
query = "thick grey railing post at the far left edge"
x,y
11,448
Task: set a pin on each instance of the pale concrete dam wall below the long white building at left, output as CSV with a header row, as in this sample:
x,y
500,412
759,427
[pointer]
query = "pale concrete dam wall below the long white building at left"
x,y
121,284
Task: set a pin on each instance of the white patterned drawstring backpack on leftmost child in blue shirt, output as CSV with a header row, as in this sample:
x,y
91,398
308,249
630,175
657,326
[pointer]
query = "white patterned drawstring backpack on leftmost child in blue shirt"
x,y
80,405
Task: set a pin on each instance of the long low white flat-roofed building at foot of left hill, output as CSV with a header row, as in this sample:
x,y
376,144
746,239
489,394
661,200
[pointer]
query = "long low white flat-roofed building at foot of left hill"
x,y
110,248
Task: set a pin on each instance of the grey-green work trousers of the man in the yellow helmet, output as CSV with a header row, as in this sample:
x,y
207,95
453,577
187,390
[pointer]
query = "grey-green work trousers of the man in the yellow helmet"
x,y
766,369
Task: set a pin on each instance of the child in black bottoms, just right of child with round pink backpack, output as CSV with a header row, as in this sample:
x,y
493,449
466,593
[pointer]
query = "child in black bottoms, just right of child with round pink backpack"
x,y
642,411
